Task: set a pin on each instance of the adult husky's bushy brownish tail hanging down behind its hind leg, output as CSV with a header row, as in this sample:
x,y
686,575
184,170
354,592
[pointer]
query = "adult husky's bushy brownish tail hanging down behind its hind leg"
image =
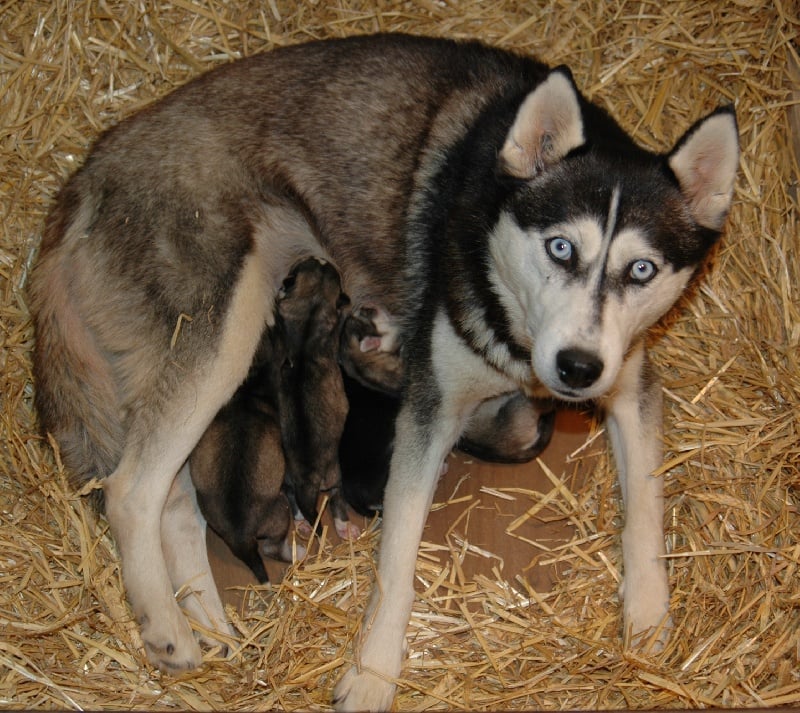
x,y
75,389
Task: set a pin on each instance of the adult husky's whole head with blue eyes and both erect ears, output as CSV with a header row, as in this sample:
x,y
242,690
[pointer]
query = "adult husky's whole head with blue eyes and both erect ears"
x,y
600,237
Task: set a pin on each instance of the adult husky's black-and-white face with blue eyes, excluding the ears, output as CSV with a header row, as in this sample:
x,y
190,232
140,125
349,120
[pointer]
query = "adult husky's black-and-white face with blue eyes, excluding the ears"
x,y
585,265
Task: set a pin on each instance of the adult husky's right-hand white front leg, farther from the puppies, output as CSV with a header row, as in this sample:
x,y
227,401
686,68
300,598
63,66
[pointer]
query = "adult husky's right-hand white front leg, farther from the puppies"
x,y
634,423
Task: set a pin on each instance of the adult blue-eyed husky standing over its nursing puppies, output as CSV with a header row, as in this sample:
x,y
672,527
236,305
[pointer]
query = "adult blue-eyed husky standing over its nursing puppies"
x,y
523,241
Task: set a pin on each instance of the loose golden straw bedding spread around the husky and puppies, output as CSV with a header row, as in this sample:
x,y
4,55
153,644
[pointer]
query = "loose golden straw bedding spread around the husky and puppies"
x,y
69,68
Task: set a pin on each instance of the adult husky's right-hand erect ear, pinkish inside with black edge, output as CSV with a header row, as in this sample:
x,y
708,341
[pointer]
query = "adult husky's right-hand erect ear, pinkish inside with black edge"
x,y
705,161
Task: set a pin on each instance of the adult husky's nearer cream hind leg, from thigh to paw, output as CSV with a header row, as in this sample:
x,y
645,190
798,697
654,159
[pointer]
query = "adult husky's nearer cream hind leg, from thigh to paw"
x,y
138,490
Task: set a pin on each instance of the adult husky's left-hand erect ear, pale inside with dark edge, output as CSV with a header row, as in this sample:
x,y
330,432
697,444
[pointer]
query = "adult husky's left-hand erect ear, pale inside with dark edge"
x,y
547,127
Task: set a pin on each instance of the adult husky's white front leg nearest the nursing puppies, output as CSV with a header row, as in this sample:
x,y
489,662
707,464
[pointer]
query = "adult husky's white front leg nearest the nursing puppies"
x,y
420,449
